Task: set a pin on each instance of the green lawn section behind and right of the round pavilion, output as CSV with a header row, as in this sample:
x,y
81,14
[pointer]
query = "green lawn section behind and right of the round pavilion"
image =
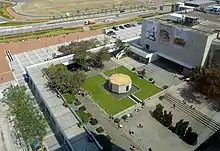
x,y
147,89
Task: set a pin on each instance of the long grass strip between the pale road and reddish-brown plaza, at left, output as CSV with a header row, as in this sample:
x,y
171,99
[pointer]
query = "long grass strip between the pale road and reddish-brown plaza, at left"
x,y
39,34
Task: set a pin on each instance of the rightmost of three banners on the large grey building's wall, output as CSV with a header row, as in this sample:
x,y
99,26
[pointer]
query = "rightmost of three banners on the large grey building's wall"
x,y
180,37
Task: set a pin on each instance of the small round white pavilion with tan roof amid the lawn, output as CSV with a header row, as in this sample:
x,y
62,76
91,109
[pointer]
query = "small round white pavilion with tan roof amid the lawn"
x,y
120,83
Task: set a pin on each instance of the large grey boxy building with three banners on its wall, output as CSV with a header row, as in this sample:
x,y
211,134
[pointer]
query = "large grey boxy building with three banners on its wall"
x,y
170,38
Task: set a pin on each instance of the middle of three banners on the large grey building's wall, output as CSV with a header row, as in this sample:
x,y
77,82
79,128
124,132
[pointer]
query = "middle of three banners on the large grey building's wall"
x,y
165,34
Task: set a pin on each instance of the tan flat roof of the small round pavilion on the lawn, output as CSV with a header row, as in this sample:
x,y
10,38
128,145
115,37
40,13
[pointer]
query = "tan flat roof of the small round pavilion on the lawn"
x,y
120,79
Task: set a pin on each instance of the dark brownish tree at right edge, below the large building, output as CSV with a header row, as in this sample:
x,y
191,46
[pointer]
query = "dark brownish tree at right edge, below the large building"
x,y
206,80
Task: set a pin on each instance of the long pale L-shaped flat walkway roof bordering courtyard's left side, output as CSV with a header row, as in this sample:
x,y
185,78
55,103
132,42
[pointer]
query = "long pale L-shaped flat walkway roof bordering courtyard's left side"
x,y
63,117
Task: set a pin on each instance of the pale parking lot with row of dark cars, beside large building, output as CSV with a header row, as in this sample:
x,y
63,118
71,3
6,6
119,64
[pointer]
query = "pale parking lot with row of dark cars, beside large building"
x,y
125,33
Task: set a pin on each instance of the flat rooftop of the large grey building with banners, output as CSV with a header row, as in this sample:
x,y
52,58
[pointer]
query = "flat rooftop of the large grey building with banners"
x,y
208,23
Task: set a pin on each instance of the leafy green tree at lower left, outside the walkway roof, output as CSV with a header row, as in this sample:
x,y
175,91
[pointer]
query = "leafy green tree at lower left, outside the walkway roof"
x,y
29,123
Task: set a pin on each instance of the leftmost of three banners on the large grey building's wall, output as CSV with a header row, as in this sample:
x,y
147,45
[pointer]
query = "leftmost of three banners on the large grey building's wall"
x,y
151,30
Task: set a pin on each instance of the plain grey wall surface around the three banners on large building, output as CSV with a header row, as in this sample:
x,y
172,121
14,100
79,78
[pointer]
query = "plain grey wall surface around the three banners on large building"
x,y
190,55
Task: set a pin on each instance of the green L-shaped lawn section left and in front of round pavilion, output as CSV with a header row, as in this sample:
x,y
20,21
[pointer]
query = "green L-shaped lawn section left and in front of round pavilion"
x,y
103,98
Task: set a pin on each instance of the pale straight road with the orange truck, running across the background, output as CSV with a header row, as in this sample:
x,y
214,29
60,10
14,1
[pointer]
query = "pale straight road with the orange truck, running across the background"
x,y
45,26
